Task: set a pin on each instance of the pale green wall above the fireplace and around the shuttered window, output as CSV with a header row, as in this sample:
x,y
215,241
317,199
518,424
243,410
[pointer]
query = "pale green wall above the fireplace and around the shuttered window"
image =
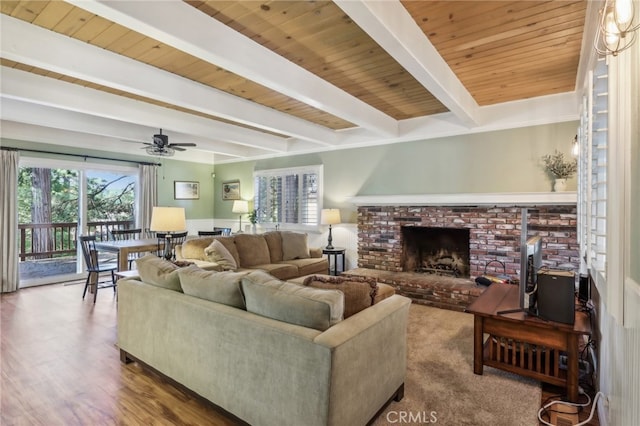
x,y
498,161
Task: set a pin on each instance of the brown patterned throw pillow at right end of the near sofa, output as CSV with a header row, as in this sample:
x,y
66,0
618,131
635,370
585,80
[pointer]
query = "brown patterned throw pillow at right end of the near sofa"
x,y
359,292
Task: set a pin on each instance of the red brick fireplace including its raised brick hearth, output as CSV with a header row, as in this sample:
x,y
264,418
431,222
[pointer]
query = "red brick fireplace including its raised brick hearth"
x,y
494,234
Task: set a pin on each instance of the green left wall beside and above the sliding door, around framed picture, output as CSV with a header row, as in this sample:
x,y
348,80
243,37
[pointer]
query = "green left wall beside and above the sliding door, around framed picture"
x,y
168,172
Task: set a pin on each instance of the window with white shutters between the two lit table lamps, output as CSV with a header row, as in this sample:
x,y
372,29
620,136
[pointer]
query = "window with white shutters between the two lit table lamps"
x,y
288,196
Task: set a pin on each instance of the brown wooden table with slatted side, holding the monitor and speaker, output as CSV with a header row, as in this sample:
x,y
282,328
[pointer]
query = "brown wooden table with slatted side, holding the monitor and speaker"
x,y
524,344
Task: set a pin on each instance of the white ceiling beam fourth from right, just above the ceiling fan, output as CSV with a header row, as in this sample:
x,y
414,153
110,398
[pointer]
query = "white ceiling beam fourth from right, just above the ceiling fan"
x,y
36,89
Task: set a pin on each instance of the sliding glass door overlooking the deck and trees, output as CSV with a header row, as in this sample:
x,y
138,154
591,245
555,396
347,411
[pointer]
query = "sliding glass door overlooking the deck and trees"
x,y
60,200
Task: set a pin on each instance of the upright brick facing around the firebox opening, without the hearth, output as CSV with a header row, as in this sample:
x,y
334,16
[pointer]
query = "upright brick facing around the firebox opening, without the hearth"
x,y
494,234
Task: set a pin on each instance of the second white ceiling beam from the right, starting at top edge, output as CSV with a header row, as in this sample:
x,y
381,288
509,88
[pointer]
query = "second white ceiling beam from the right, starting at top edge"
x,y
184,27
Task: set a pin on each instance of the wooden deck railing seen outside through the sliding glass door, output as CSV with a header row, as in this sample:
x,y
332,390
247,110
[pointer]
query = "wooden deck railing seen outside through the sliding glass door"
x,y
48,240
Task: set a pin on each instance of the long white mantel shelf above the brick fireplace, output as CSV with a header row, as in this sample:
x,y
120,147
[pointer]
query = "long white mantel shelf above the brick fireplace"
x,y
470,199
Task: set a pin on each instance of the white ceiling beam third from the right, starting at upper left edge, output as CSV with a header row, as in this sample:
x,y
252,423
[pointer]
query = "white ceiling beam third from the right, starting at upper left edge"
x,y
35,46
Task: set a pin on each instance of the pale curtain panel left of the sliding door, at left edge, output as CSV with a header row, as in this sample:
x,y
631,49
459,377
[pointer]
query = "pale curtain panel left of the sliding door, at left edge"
x,y
9,220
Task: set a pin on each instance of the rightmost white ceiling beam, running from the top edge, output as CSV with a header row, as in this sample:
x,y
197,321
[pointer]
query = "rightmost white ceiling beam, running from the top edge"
x,y
393,28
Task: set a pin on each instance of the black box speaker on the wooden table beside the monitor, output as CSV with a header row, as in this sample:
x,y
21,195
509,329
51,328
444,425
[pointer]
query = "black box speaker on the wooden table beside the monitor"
x,y
556,296
